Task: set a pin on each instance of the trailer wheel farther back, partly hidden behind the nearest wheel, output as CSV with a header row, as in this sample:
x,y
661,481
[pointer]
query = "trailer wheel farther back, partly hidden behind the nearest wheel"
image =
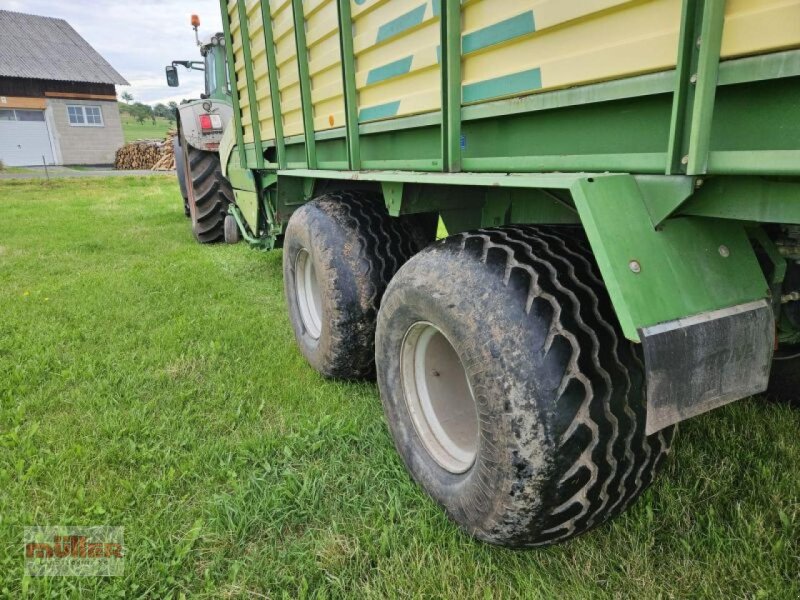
x,y
340,252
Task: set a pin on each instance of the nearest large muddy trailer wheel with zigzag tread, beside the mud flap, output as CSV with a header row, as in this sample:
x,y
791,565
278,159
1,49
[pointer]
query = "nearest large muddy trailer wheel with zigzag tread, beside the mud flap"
x,y
510,392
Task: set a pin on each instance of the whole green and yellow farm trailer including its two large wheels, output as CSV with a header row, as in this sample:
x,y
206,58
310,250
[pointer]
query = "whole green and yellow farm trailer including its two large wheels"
x,y
620,185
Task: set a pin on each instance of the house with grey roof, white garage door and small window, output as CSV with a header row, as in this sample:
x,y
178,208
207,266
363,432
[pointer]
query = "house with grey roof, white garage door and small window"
x,y
58,103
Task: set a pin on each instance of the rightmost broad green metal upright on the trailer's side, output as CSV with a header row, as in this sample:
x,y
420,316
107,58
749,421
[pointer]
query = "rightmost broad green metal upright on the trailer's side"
x,y
696,86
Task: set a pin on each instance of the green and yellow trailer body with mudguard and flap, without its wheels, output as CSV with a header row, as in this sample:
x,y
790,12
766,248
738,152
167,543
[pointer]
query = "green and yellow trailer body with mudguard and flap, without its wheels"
x,y
667,129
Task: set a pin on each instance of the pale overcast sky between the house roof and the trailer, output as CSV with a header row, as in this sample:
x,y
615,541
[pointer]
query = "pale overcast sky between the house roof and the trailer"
x,y
139,38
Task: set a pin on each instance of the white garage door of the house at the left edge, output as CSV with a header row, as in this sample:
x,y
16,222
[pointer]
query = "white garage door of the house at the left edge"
x,y
24,138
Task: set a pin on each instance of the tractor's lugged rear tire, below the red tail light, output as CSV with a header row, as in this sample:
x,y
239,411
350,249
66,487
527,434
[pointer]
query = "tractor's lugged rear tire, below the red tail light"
x,y
209,192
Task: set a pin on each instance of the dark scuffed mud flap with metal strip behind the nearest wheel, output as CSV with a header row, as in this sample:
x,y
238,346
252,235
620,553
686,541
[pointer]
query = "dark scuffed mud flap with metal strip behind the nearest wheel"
x,y
699,363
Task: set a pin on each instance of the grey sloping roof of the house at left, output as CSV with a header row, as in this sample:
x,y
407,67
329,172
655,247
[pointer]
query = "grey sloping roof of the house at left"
x,y
37,47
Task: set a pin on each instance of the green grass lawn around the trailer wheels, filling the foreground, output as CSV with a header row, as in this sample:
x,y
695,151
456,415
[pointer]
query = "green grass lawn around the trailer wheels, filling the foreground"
x,y
151,383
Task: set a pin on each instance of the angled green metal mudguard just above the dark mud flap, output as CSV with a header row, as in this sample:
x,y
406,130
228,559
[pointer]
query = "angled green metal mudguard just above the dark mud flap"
x,y
686,267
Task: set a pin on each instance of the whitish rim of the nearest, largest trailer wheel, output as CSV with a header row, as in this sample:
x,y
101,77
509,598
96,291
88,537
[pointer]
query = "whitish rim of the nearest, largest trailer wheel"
x,y
439,397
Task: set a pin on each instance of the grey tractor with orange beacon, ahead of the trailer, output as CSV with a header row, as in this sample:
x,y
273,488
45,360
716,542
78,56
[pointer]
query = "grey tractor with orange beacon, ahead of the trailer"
x,y
201,123
